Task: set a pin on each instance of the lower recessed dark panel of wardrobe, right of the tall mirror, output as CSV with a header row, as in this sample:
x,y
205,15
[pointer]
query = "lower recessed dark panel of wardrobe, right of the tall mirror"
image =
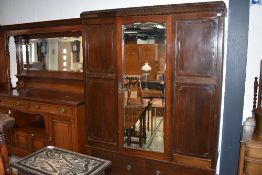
x,y
193,119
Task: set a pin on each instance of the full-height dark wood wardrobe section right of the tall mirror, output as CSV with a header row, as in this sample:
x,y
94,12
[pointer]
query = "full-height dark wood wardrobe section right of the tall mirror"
x,y
196,90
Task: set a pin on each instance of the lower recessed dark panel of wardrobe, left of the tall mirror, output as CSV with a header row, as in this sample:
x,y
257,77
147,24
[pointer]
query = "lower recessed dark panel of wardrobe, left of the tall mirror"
x,y
102,111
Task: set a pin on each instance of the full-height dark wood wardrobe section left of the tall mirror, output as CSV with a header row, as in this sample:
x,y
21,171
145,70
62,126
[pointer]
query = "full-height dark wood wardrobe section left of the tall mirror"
x,y
100,82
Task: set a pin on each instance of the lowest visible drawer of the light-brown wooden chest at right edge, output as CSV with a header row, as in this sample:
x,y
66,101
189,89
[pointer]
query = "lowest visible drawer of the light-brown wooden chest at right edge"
x,y
253,167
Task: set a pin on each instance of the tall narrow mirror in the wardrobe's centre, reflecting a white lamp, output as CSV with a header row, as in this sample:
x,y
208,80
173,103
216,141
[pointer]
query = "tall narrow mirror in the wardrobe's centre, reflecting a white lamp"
x,y
144,68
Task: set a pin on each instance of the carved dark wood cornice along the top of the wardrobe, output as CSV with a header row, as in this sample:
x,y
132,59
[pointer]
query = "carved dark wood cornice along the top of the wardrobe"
x,y
218,6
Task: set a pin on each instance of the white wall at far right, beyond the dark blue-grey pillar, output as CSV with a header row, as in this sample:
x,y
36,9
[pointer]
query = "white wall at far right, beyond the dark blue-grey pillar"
x,y
253,57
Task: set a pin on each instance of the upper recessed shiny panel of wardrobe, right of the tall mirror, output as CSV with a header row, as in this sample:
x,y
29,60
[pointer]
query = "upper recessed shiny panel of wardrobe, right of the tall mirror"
x,y
196,46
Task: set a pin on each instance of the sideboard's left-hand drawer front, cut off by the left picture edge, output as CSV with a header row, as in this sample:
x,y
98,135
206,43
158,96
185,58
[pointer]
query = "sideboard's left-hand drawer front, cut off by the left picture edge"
x,y
14,103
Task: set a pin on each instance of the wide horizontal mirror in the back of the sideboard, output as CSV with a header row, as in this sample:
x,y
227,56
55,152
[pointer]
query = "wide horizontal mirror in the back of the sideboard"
x,y
54,54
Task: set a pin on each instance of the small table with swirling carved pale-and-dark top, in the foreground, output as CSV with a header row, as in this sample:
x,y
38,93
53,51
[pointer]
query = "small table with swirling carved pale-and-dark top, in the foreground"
x,y
56,161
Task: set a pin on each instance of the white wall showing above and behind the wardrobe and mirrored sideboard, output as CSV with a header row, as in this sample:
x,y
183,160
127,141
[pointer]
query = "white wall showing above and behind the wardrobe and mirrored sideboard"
x,y
23,11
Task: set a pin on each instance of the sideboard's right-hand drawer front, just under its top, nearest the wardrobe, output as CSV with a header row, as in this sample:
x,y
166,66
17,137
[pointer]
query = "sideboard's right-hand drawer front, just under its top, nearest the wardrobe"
x,y
53,109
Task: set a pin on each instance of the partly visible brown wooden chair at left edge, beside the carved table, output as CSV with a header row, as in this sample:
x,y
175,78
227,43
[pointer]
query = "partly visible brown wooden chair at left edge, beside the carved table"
x,y
6,122
